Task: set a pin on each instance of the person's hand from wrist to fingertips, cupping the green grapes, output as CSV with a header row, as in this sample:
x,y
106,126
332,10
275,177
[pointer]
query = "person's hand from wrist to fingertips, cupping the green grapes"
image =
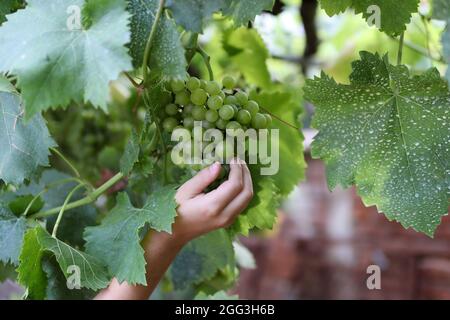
x,y
200,213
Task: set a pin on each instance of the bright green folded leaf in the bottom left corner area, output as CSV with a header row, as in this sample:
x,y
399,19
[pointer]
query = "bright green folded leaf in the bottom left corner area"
x,y
93,274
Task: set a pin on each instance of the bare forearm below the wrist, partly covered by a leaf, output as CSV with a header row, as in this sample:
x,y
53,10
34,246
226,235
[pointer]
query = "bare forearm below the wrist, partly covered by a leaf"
x,y
160,250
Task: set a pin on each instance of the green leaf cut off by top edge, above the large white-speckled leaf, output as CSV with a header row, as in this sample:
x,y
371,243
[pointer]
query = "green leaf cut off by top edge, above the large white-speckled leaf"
x,y
393,15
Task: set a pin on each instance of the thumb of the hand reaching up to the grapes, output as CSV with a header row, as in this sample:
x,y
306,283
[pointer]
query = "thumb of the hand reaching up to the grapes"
x,y
198,183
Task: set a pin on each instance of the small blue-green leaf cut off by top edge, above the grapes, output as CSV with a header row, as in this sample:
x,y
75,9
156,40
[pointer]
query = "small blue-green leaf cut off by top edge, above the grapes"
x,y
194,14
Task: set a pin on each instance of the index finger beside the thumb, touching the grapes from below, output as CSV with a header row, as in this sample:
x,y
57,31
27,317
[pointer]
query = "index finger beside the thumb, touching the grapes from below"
x,y
228,190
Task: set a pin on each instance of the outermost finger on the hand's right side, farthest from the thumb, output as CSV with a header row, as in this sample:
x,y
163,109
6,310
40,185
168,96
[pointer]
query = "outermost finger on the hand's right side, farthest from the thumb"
x,y
241,201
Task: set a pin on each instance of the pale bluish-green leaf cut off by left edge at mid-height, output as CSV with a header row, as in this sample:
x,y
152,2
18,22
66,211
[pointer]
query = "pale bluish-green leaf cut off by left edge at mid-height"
x,y
25,146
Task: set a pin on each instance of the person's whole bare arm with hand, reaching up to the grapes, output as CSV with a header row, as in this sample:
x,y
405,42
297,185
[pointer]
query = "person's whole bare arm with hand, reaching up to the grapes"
x,y
198,214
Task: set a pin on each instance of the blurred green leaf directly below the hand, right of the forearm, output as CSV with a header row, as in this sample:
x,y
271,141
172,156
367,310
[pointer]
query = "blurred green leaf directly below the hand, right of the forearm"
x,y
201,258
